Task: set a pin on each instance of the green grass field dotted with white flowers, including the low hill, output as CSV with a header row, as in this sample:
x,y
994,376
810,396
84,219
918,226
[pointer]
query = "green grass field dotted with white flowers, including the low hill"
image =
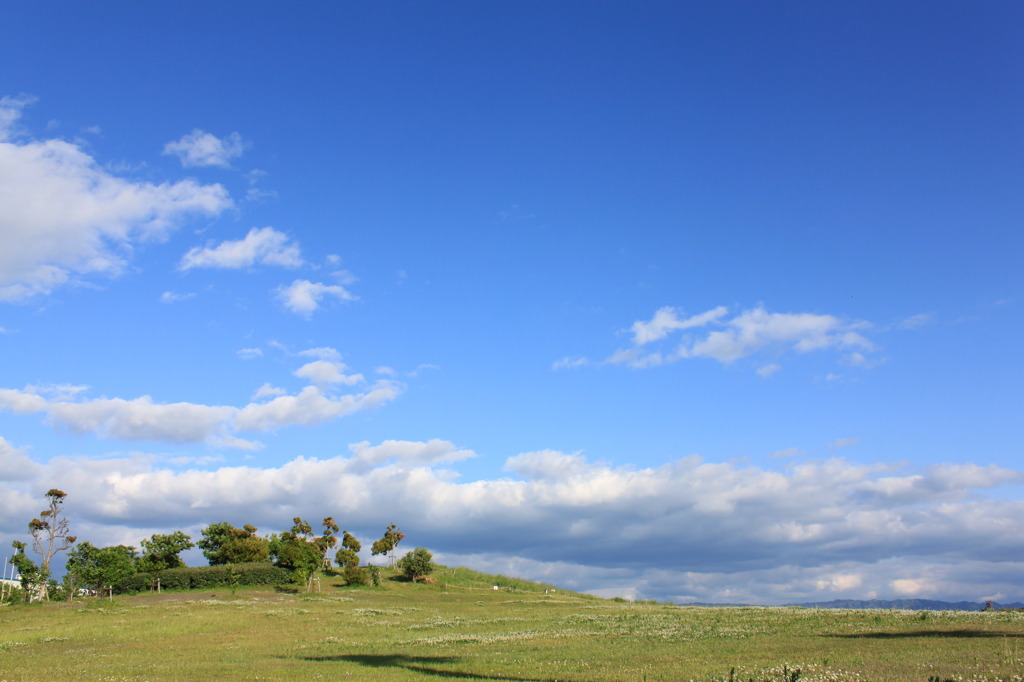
x,y
461,628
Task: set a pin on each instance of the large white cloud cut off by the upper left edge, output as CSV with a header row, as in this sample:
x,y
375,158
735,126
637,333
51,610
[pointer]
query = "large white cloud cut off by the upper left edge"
x,y
64,218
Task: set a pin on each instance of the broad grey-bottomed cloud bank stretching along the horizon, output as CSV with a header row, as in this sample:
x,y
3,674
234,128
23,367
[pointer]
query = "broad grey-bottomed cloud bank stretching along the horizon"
x,y
687,531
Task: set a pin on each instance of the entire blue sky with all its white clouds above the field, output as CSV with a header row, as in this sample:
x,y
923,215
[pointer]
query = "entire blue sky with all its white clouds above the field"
x,y
710,303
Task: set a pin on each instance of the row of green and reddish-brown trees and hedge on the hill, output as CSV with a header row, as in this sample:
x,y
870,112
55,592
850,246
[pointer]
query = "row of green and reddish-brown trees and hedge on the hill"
x,y
301,550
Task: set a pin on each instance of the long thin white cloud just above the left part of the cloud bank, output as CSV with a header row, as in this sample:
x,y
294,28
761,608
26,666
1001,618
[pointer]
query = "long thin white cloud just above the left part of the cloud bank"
x,y
144,419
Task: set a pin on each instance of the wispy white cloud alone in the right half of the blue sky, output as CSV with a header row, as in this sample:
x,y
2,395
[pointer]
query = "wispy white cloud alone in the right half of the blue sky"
x,y
730,339
